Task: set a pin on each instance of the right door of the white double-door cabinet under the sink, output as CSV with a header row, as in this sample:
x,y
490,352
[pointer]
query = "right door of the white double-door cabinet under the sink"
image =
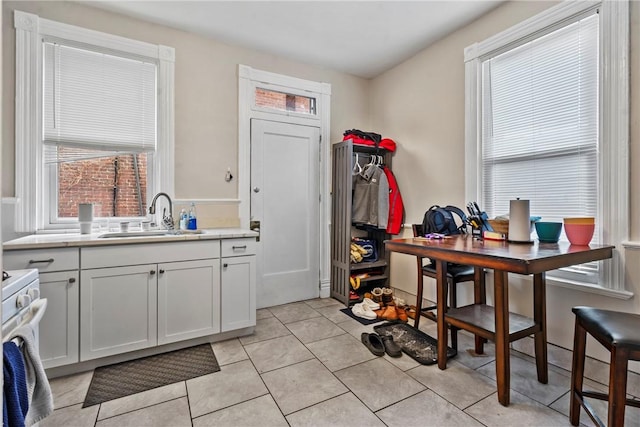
x,y
188,300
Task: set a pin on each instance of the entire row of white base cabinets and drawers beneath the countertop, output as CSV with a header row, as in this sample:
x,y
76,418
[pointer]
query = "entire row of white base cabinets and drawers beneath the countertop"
x,y
110,299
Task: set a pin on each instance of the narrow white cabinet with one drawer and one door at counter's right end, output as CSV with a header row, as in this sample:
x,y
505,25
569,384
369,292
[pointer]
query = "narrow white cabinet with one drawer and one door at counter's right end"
x,y
238,284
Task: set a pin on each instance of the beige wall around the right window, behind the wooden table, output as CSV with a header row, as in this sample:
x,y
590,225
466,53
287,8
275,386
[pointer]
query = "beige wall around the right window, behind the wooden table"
x,y
420,103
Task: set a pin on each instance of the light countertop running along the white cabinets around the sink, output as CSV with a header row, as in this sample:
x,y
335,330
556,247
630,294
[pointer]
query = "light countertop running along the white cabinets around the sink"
x,y
66,240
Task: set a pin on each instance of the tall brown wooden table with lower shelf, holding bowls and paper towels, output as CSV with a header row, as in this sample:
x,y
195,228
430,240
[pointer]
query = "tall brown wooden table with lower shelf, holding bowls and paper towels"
x,y
496,323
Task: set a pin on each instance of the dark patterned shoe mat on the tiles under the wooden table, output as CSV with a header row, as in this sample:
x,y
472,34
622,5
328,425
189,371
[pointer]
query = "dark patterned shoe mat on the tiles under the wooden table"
x,y
420,346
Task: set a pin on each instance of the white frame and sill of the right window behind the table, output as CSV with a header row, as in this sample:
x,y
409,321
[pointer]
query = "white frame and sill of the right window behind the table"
x,y
613,185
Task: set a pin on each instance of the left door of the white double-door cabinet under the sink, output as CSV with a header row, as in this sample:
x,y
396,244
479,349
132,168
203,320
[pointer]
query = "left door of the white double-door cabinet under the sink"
x,y
118,310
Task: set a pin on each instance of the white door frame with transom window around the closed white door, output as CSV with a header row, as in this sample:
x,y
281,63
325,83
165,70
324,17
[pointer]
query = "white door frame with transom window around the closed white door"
x,y
248,79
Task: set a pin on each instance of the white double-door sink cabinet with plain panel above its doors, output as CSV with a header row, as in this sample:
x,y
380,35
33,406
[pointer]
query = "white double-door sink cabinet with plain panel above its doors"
x,y
172,295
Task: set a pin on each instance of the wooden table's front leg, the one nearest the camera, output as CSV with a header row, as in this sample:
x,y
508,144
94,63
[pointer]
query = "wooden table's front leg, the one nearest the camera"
x,y
502,335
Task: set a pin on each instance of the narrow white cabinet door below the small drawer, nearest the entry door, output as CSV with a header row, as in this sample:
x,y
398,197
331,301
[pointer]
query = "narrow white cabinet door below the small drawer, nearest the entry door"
x,y
238,292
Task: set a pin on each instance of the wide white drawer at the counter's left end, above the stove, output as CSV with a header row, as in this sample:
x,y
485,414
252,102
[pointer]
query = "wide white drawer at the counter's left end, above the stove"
x,y
45,260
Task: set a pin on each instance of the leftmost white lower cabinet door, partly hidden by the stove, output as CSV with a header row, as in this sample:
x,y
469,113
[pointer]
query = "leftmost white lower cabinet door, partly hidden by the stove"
x,y
58,329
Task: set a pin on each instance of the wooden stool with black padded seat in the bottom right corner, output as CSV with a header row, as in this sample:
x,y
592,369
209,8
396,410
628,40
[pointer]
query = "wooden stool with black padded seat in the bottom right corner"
x,y
620,334
